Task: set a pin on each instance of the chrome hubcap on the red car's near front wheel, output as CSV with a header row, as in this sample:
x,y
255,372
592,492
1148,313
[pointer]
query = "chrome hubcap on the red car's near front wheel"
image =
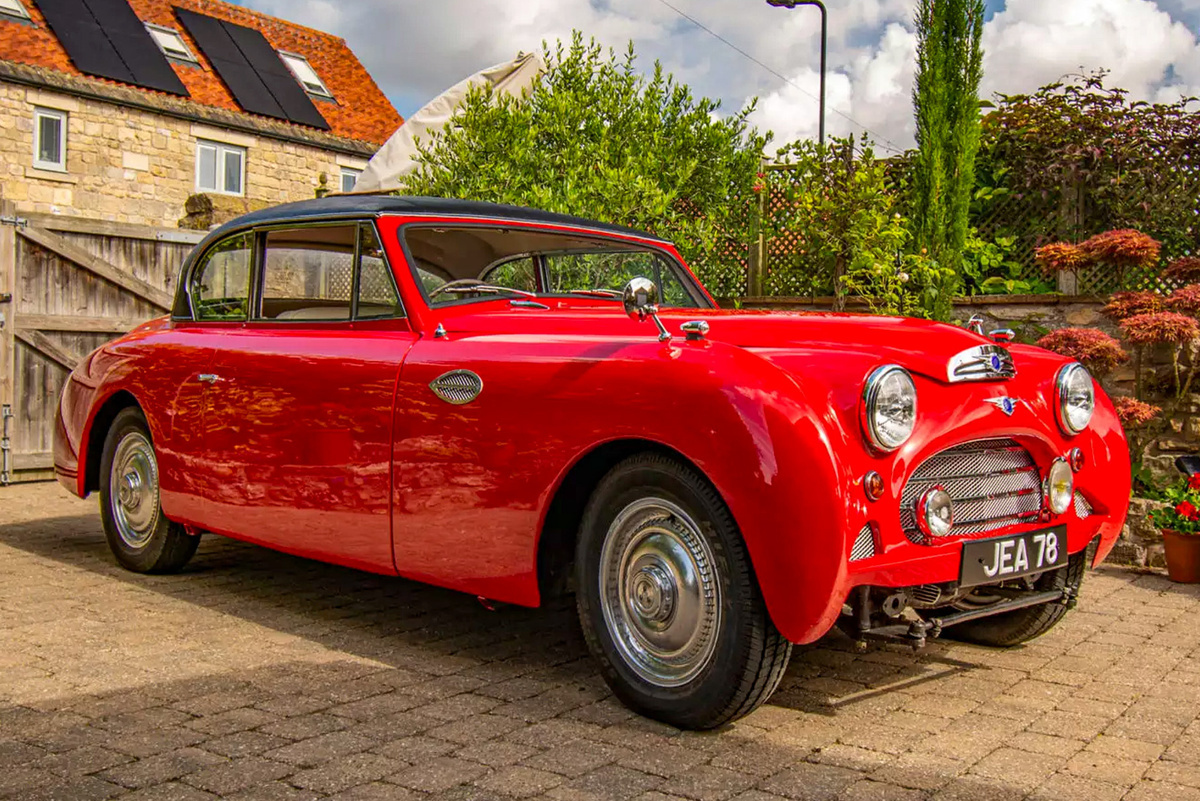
x,y
659,593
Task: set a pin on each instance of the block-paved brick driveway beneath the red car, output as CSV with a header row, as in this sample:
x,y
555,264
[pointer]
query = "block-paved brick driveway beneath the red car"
x,y
257,676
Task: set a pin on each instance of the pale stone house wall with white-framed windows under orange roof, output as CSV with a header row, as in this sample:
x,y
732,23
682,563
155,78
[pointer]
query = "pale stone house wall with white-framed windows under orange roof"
x,y
129,165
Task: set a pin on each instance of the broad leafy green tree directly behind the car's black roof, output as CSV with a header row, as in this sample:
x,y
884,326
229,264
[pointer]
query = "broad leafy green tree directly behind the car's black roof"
x,y
596,138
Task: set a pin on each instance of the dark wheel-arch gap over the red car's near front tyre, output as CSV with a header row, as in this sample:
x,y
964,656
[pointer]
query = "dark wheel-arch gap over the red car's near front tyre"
x,y
565,513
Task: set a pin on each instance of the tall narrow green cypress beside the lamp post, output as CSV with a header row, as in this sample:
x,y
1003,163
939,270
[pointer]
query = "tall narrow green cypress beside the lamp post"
x,y
946,98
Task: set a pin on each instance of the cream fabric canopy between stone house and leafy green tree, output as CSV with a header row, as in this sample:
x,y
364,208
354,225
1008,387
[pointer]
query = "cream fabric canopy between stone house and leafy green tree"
x,y
398,158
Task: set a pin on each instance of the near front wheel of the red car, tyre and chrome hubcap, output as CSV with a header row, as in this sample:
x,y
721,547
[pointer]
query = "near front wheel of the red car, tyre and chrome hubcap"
x,y
669,601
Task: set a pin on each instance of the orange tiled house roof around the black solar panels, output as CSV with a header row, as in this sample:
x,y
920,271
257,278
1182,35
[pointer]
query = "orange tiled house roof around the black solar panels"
x,y
362,112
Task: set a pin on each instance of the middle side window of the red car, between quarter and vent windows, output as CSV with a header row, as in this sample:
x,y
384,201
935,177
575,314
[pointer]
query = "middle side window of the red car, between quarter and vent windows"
x,y
309,274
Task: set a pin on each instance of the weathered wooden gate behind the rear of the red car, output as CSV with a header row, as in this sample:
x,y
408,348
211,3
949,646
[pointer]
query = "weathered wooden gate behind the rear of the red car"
x,y
69,285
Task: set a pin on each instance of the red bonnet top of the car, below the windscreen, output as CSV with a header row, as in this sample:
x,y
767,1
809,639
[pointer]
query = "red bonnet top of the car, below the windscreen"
x,y
920,346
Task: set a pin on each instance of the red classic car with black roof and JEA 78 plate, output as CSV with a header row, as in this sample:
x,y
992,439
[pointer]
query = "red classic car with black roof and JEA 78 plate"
x,y
514,403
